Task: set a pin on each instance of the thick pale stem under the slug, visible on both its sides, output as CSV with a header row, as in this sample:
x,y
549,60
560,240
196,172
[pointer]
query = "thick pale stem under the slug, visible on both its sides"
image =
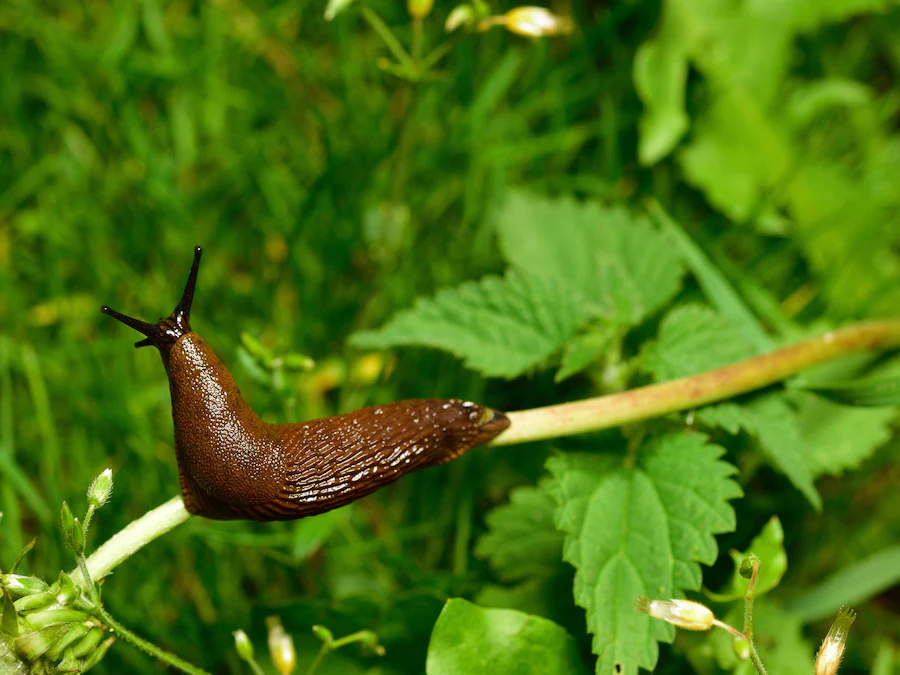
x,y
578,417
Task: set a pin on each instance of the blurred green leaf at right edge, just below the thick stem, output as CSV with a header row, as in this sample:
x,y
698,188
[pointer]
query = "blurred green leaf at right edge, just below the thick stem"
x,y
839,437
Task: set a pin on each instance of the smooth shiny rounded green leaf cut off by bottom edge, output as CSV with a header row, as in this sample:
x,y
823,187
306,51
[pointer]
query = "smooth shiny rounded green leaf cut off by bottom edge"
x,y
470,639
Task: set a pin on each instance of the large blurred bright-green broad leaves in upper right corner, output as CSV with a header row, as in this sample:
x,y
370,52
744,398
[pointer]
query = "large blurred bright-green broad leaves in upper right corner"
x,y
756,149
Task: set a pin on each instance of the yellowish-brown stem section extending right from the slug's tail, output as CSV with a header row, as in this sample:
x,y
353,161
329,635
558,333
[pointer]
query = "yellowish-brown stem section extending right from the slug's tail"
x,y
692,392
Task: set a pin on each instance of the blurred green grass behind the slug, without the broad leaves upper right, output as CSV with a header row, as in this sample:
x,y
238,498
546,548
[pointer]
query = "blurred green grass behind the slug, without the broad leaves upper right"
x,y
132,131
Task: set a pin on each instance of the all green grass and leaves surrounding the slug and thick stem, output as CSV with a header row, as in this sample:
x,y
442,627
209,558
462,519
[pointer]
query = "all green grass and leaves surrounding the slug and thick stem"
x,y
492,207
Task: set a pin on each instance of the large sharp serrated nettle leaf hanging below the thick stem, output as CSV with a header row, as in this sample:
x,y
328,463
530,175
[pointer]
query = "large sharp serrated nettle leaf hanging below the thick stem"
x,y
640,530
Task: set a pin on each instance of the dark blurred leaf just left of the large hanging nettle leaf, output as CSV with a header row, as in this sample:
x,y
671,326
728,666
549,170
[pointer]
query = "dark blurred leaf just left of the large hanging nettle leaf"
x,y
522,540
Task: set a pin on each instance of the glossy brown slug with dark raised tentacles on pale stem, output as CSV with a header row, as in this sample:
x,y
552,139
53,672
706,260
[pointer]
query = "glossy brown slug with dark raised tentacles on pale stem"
x,y
233,465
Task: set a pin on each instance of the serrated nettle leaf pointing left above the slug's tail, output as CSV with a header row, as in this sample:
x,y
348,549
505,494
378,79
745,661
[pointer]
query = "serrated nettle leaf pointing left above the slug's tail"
x,y
501,327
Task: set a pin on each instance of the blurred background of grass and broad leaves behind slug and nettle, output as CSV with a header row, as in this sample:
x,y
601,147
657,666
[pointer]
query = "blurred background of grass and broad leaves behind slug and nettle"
x,y
327,194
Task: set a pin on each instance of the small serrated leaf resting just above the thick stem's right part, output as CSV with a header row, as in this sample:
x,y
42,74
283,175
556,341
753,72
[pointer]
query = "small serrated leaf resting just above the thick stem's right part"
x,y
693,339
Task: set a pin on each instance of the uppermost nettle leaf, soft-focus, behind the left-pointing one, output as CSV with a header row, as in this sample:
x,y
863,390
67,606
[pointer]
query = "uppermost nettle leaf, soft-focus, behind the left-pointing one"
x,y
620,263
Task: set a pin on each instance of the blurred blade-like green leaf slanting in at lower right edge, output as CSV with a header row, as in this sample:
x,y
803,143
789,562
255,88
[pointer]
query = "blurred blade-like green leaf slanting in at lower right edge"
x,y
850,586
